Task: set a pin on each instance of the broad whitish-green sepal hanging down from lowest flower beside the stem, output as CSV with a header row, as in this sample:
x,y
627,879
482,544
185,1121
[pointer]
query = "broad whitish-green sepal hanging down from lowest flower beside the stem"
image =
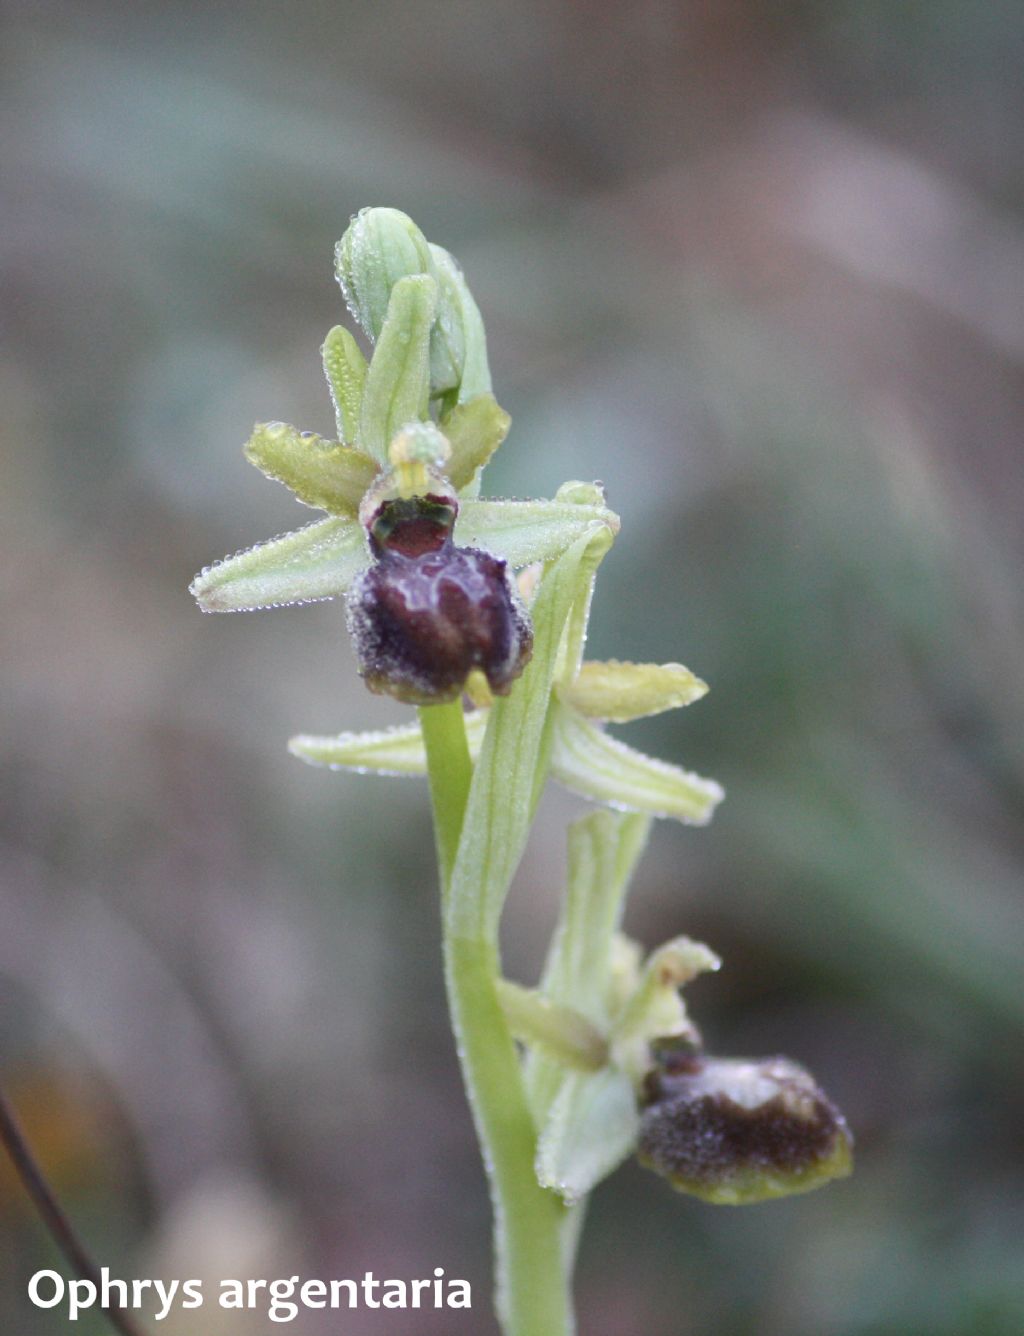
x,y
592,1128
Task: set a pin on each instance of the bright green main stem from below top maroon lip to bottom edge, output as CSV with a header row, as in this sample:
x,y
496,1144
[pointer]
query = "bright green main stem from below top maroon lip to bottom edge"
x,y
533,1283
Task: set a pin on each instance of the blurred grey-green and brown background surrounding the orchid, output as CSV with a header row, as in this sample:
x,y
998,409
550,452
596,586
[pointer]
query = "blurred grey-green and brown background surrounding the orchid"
x,y
760,268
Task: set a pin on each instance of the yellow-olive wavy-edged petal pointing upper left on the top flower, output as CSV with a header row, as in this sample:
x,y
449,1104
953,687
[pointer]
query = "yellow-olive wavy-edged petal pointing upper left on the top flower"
x,y
322,474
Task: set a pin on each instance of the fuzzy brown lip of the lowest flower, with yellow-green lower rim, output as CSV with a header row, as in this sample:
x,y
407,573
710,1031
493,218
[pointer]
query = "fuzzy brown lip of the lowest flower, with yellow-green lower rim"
x,y
735,1131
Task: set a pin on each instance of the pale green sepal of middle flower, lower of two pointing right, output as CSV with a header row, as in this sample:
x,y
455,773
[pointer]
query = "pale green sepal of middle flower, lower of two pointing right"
x,y
589,762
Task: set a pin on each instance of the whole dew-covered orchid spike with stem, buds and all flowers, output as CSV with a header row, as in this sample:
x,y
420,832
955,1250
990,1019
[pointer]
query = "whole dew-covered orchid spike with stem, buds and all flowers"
x,y
601,1059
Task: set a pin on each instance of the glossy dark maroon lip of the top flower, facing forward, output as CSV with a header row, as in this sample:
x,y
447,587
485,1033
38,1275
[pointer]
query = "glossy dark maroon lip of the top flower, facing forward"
x,y
427,613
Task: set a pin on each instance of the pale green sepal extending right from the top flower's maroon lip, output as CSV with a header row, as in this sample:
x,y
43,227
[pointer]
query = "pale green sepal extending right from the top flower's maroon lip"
x,y
523,532
